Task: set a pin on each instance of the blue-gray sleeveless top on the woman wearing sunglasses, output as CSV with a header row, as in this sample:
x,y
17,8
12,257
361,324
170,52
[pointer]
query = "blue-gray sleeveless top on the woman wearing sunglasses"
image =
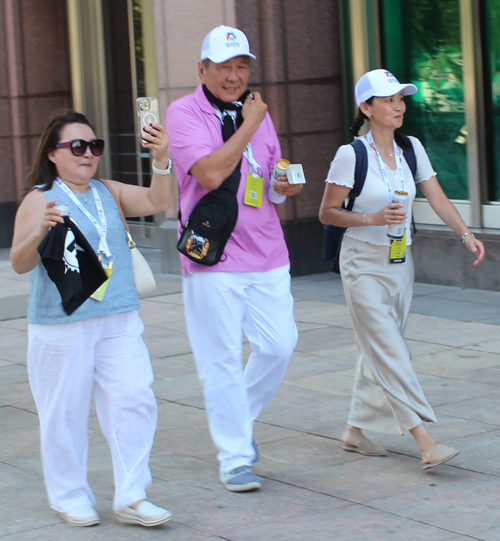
x,y
45,305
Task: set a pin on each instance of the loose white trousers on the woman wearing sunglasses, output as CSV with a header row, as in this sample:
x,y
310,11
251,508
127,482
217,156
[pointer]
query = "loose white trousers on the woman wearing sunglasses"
x,y
65,362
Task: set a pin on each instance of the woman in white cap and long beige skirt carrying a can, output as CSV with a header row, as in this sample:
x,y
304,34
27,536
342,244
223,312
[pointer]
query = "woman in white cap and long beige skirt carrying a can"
x,y
386,396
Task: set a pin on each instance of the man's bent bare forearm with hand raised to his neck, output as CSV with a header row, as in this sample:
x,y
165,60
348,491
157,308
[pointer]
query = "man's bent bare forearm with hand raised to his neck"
x,y
212,170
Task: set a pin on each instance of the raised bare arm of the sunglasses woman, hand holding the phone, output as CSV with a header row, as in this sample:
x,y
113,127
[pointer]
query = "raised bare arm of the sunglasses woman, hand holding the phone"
x,y
140,201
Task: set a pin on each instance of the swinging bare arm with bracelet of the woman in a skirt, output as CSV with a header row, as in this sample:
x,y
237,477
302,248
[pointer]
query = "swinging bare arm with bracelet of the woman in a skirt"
x,y
445,209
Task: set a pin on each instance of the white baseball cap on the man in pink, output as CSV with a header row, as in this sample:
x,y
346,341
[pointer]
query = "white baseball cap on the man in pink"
x,y
223,43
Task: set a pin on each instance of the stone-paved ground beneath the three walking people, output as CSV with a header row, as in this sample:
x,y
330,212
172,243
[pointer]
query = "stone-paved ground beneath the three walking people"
x,y
311,489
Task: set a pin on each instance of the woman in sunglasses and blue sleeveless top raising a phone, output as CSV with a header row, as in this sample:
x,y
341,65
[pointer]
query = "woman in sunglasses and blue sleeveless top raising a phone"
x,y
99,346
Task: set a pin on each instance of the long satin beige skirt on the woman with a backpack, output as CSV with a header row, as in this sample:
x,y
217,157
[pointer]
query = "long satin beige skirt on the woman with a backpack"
x,y
387,396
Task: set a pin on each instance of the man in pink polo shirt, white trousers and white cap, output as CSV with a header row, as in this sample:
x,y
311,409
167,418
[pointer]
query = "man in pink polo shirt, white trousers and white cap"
x,y
249,289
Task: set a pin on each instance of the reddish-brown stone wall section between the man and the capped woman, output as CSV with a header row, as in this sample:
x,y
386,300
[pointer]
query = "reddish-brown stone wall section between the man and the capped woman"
x,y
299,73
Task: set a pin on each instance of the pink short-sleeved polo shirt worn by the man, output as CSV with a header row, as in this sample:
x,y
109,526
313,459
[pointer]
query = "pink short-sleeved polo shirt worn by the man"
x,y
257,243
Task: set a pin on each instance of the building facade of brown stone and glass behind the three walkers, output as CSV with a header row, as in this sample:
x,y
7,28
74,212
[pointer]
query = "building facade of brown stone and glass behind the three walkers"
x,y
98,56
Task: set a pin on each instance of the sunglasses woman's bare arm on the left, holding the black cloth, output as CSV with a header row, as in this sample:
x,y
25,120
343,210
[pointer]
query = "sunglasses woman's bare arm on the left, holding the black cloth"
x,y
33,220
